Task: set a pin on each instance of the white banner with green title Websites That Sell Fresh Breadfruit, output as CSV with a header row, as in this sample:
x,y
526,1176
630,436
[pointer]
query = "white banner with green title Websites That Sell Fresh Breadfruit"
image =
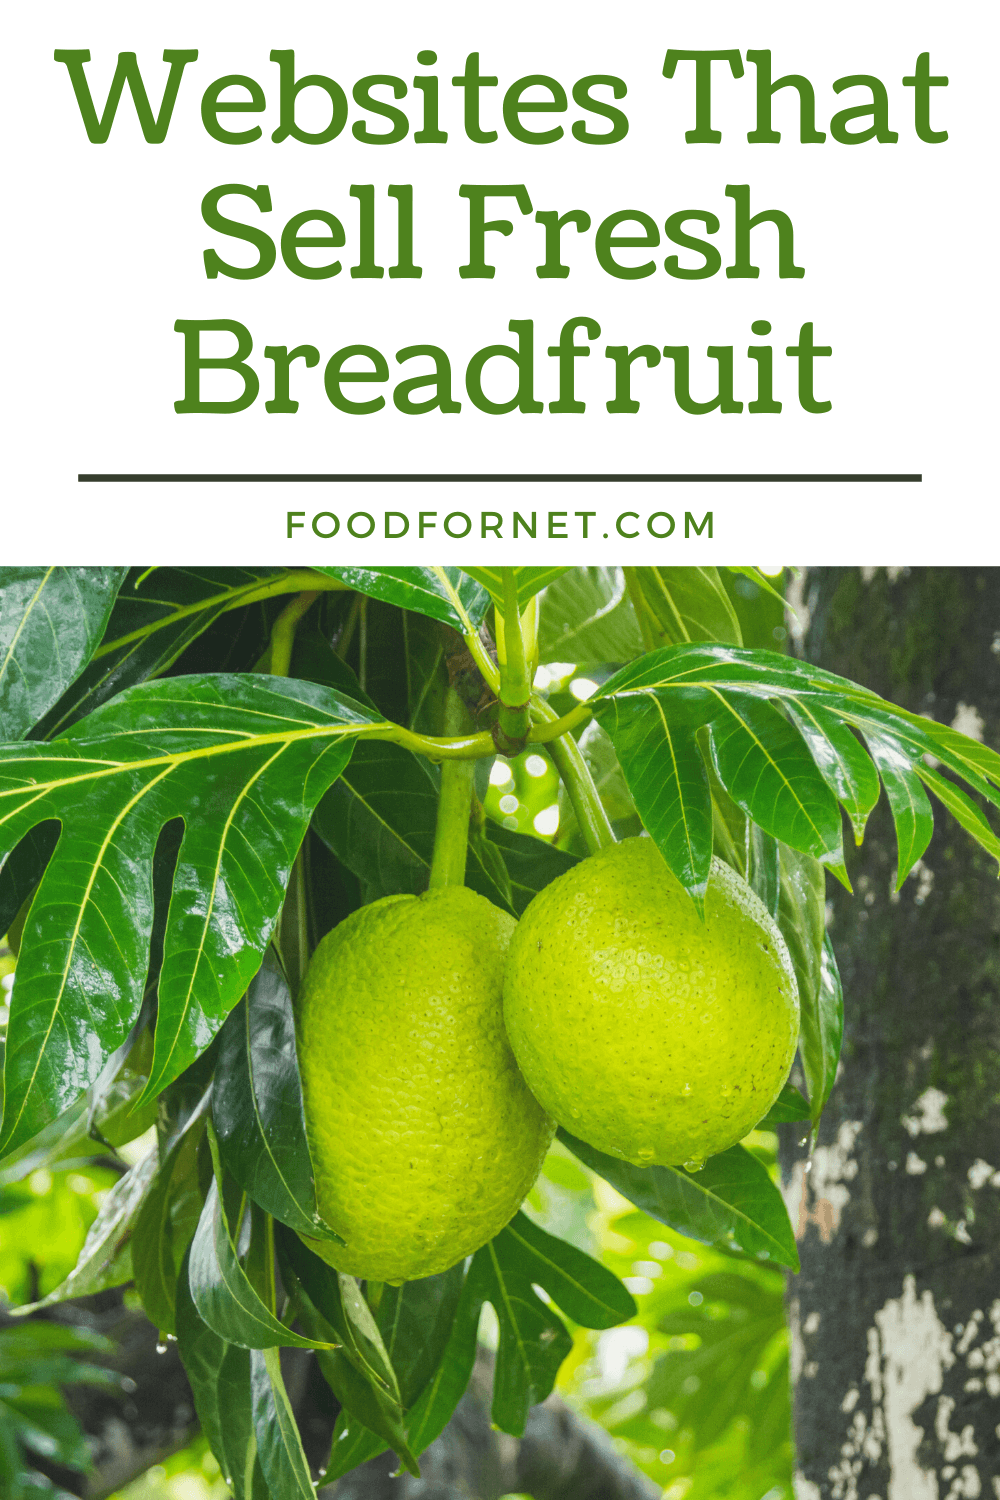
x,y
106,253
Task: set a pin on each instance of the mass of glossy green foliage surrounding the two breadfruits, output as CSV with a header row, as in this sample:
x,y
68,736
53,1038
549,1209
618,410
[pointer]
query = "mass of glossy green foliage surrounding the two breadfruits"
x,y
178,812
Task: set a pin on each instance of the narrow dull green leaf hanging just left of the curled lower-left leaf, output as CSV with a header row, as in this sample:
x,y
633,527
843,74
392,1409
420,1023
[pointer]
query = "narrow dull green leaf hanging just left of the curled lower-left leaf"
x,y
166,1226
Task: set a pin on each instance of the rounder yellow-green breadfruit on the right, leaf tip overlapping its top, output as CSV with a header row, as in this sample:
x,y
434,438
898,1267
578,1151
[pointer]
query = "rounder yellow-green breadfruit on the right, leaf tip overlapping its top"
x,y
644,1031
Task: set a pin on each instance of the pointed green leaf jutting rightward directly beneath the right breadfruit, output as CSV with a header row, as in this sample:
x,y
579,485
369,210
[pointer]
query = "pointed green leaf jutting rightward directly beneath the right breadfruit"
x,y
731,1204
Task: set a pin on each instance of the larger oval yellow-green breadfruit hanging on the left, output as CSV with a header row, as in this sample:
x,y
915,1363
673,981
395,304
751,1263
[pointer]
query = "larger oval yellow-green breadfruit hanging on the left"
x,y
424,1135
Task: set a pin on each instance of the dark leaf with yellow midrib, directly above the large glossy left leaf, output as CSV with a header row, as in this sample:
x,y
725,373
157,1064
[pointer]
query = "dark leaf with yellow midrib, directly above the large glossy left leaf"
x,y
157,616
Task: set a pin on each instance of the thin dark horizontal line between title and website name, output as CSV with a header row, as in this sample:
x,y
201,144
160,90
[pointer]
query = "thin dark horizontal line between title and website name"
x,y
500,479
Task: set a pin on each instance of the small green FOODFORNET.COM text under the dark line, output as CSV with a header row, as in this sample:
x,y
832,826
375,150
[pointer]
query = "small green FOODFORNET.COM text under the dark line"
x,y
531,526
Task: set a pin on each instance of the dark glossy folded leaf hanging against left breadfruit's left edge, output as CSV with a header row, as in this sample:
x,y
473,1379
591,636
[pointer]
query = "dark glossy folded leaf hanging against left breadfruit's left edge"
x,y
259,1108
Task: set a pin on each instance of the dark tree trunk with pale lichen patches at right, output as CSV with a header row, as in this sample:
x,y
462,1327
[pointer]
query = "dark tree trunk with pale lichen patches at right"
x,y
896,1318
